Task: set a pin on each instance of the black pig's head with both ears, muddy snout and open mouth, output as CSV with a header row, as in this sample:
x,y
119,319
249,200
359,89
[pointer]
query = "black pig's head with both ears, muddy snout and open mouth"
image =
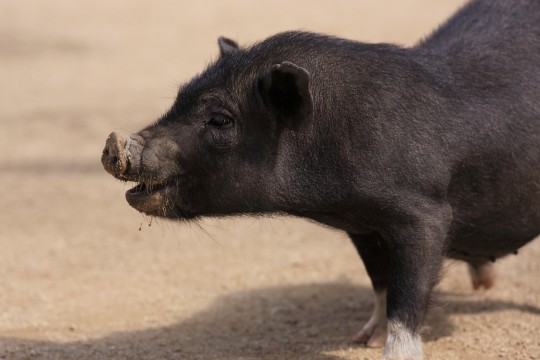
x,y
216,150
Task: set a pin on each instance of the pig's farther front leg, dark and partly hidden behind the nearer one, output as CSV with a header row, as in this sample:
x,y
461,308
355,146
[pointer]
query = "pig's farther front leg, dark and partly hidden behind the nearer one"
x,y
374,252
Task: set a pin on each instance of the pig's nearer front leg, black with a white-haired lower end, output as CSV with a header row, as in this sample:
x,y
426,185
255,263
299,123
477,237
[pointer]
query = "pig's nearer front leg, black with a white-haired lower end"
x,y
417,247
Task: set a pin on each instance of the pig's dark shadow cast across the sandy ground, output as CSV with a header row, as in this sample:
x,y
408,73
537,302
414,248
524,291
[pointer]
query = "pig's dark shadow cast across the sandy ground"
x,y
294,322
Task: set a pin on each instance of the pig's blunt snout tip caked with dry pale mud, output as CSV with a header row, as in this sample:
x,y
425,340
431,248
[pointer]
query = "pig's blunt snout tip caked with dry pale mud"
x,y
122,156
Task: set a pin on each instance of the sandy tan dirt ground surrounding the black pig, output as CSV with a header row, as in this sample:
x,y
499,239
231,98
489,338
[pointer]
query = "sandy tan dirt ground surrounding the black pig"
x,y
84,276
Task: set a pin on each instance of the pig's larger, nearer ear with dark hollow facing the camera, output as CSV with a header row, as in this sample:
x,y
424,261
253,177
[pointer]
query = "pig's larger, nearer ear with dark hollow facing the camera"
x,y
285,88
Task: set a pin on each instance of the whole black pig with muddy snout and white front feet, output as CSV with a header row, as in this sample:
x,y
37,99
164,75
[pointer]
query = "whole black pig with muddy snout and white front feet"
x,y
417,153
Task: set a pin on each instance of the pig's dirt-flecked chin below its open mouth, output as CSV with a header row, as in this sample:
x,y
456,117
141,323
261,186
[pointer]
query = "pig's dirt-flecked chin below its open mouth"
x,y
151,199
